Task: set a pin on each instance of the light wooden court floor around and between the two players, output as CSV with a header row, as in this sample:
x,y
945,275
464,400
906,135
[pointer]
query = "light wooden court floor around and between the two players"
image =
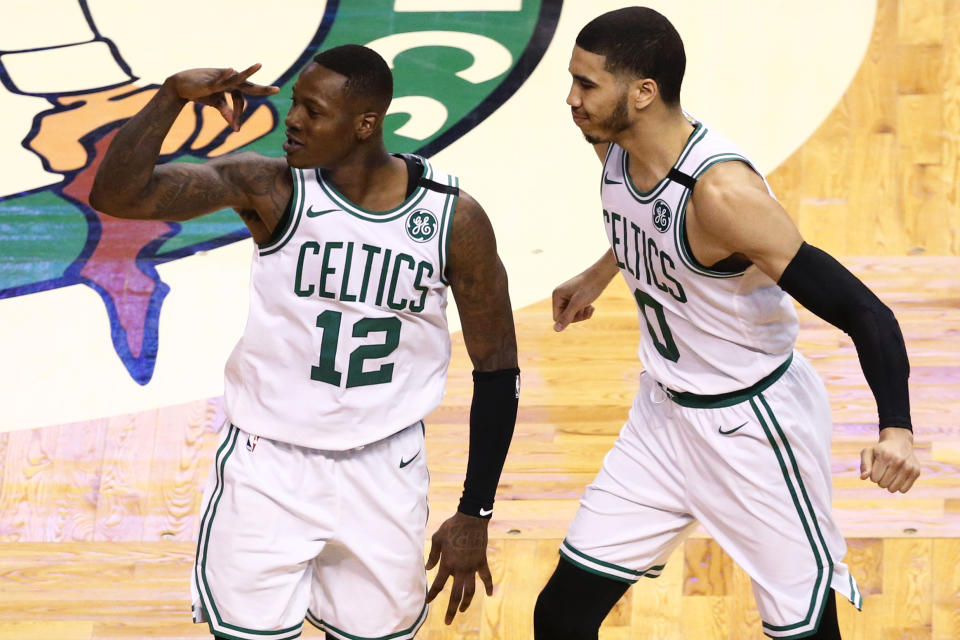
x,y
97,520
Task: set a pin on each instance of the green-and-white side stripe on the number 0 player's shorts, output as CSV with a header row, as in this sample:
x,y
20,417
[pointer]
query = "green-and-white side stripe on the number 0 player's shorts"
x,y
808,518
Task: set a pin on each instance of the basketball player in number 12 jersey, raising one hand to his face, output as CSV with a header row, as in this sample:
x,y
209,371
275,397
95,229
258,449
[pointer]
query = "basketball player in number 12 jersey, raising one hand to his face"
x,y
317,502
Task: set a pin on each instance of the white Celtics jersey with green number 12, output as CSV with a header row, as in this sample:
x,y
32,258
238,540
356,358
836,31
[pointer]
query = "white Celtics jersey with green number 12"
x,y
346,341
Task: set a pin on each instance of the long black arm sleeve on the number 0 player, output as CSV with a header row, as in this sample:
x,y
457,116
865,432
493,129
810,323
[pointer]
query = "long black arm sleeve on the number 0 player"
x,y
825,287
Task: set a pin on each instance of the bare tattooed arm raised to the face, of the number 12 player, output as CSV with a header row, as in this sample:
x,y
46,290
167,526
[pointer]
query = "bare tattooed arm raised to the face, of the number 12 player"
x,y
130,184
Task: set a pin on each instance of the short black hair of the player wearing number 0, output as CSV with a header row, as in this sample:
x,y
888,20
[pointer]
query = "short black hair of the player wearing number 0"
x,y
640,41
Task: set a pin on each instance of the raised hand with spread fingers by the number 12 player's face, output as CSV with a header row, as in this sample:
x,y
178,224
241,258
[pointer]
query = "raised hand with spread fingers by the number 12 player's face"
x,y
210,87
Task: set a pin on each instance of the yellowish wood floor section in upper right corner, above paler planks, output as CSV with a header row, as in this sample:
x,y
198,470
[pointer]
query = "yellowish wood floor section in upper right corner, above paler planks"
x,y
881,175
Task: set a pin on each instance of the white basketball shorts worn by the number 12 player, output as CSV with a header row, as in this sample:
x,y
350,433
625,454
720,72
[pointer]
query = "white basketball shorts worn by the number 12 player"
x,y
336,537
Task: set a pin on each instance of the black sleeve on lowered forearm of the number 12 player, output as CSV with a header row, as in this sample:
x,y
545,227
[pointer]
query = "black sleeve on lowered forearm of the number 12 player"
x,y
493,414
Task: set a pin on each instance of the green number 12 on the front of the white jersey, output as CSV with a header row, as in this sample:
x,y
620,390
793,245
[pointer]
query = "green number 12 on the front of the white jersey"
x,y
326,370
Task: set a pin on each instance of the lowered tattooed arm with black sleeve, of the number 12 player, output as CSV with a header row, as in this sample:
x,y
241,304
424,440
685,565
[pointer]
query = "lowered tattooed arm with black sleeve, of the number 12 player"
x,y
479,283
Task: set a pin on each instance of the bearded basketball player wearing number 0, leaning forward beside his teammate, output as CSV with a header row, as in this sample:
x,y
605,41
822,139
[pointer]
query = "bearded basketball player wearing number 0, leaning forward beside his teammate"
x,y
731,426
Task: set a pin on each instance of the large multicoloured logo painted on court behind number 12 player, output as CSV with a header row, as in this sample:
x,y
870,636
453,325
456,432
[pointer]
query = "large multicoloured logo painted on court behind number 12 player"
x,y
453,63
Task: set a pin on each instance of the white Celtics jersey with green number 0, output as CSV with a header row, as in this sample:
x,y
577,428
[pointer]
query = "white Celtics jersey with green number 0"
x,y
705,332
